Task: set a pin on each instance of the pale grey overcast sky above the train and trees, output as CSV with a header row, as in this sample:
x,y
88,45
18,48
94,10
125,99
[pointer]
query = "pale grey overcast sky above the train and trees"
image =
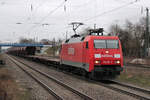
x,y
29,18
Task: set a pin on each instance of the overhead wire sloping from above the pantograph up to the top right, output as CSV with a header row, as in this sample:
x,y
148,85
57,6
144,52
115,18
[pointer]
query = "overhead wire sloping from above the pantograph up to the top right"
x,y
112,10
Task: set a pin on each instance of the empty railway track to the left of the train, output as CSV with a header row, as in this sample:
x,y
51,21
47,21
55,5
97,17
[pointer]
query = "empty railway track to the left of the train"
x,y
39,76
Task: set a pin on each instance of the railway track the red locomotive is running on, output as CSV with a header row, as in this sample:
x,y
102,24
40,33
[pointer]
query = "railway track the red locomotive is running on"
x,y
133,91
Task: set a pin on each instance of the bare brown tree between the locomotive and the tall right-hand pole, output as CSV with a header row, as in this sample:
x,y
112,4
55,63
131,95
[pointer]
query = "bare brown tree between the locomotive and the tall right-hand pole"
x,y
131,37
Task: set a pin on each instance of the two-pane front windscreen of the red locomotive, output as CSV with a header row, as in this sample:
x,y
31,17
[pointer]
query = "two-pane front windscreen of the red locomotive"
x,y
111,44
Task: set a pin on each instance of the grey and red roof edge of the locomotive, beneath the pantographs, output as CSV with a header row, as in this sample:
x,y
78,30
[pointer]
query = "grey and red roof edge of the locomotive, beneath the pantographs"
x,y
80,39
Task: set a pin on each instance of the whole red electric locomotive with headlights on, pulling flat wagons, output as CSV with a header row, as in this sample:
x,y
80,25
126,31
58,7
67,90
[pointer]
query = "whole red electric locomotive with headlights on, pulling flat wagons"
x,y
94,55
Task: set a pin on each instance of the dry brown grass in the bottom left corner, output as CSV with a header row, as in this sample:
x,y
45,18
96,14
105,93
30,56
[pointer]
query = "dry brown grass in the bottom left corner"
x,y
10,87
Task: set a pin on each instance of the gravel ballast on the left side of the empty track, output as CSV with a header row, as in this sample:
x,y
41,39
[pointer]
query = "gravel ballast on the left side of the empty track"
x,y
37,92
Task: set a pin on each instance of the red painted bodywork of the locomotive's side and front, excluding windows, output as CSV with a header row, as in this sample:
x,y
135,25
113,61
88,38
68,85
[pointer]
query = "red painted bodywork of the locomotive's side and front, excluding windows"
x,y
83,55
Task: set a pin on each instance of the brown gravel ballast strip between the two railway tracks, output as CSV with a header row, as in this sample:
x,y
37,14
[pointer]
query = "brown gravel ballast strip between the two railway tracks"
x,y
96,91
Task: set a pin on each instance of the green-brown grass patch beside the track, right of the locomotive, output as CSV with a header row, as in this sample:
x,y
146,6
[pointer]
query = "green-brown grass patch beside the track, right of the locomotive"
x,y
136,79
